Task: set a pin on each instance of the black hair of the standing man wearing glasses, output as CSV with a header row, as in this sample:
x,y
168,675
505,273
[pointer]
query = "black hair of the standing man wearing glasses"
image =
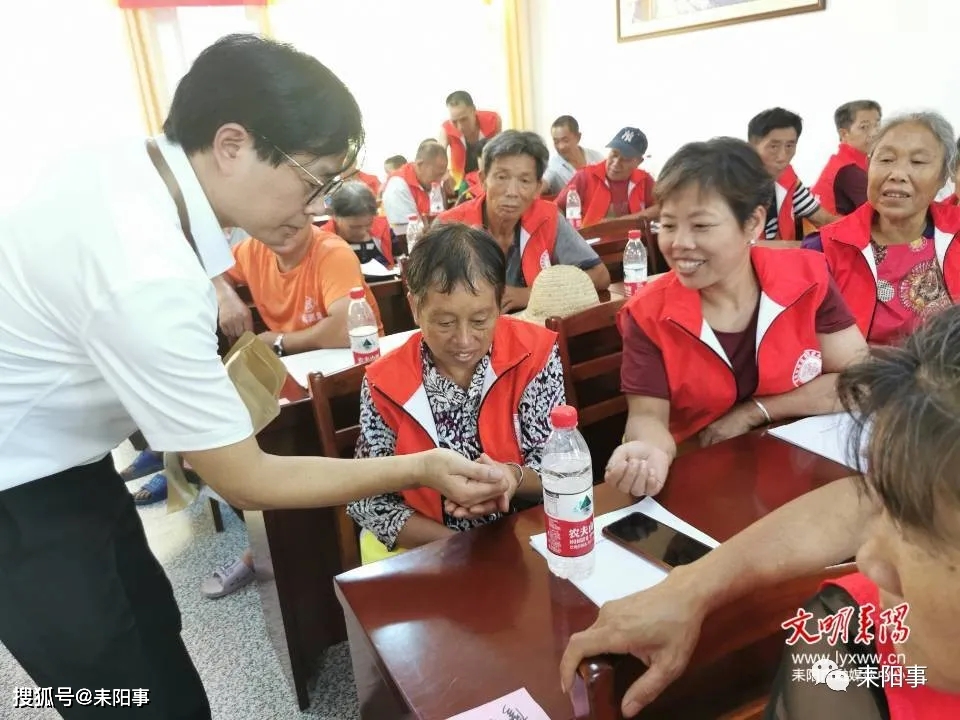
x,y
286,99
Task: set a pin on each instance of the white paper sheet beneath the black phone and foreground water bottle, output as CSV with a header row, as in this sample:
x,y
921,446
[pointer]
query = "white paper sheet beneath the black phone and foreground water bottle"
x,y
618,572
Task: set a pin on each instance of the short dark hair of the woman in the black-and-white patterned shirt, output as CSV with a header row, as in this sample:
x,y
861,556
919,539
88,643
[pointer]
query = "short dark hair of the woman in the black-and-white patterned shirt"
x,y
455,254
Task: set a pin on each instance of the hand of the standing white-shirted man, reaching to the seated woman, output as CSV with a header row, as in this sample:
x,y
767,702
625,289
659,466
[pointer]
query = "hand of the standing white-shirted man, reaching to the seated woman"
x,y
466,483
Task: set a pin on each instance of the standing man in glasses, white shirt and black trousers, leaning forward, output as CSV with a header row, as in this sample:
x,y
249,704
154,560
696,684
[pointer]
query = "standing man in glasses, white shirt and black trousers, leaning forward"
x,y
108,324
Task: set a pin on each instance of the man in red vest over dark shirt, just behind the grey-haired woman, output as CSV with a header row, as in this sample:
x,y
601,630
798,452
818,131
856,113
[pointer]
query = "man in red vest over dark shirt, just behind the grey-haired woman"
x,y
842,186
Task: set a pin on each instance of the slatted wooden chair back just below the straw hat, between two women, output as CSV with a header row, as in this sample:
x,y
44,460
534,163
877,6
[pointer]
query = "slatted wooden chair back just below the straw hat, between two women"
x,y
591,351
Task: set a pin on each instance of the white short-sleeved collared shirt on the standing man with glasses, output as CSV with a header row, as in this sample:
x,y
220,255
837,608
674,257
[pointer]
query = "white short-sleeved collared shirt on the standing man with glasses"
x,y
107,319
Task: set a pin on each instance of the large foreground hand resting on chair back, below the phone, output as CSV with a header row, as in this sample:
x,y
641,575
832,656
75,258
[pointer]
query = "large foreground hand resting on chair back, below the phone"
x,y
660,626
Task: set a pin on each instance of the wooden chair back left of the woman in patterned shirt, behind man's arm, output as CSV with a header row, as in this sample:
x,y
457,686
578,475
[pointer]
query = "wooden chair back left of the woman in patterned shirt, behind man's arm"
x,y
336,408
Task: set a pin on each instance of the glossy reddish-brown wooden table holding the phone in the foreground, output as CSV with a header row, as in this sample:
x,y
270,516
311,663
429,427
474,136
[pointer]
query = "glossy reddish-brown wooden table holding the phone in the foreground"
x,y
455,624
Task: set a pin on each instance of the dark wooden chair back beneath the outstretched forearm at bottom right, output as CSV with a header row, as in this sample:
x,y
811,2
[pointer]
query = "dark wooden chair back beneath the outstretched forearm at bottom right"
x,y
733,667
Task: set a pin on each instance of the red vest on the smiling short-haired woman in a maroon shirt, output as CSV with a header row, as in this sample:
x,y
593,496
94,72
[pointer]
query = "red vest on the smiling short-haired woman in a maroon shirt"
x,y
793,283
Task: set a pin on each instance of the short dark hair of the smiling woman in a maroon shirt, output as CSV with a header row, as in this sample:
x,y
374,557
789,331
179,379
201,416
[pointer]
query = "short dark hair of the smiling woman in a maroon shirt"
x,y
725,165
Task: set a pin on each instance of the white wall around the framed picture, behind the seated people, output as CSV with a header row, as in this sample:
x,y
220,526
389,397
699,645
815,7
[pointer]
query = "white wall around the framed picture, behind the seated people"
x,y
697,85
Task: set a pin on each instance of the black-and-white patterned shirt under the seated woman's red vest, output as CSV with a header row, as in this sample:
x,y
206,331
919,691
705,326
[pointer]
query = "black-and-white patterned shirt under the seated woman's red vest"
x,y
456,412
